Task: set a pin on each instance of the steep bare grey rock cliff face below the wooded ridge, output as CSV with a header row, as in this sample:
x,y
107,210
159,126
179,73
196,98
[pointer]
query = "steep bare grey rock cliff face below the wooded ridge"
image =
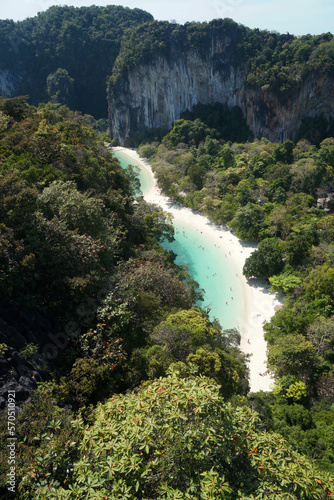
x,y
153,95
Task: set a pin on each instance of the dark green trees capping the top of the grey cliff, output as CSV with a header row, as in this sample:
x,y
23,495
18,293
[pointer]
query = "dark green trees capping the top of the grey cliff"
x,y
273,61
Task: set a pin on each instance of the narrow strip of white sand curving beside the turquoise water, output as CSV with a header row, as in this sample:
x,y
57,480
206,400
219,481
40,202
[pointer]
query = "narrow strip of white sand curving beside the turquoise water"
x,y
259,302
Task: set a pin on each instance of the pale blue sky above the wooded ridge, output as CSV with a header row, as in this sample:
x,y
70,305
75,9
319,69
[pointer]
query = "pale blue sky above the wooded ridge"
x,y
297,17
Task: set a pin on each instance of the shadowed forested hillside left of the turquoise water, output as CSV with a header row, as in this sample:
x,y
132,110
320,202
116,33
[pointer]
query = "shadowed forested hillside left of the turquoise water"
x,y
91,305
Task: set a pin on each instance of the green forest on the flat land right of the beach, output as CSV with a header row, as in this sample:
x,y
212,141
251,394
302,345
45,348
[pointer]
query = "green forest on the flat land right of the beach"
x,y
282,196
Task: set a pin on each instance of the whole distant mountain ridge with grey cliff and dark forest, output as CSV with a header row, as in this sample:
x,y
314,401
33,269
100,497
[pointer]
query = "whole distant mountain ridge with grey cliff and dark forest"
x,y
120,63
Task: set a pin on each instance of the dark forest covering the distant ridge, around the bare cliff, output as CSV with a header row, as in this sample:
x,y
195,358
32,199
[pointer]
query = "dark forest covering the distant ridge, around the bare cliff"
x,y
71,54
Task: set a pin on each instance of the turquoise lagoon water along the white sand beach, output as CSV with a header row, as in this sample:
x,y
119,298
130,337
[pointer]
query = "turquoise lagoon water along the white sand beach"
x,y
211,268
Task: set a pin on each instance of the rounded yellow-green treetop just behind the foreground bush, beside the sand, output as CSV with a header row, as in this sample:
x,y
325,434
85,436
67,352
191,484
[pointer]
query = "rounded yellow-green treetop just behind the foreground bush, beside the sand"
x,y
188,341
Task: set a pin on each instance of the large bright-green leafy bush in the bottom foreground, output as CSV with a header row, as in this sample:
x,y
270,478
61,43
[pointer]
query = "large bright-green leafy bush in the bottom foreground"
x,y
177,438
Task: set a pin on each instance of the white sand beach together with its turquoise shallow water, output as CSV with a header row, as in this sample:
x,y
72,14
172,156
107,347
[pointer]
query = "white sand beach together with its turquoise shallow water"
x,y
246,303
